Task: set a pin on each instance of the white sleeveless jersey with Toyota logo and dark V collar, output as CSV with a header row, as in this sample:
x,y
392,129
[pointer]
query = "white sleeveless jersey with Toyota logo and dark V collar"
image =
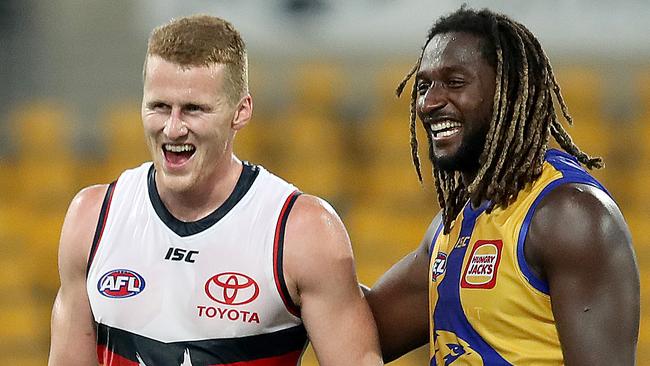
x,y
209,292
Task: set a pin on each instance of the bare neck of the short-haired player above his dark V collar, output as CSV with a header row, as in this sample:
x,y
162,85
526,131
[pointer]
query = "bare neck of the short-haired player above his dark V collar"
x,y
206,195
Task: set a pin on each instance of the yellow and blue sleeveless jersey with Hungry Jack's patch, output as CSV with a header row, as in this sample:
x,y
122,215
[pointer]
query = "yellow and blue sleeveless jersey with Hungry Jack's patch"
x,y
486,305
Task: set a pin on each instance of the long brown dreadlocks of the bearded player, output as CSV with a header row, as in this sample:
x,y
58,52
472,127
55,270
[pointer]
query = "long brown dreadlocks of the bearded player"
x,y
523,114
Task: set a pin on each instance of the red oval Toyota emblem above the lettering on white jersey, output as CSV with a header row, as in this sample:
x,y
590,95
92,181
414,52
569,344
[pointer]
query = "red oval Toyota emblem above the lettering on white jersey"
x,y
232,288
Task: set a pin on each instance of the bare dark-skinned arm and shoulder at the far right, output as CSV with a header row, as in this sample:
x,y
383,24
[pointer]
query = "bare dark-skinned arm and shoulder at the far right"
x,y
578,241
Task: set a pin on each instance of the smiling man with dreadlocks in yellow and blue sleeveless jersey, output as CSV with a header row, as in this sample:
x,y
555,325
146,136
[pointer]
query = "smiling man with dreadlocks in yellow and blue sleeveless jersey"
x,y
530,261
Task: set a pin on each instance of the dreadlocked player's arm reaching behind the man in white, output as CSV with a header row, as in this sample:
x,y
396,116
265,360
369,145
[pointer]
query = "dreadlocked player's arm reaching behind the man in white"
x,y
399,301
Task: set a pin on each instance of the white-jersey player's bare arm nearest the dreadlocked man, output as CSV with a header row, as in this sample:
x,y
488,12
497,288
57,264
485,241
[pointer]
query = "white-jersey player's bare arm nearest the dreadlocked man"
x,y
320,274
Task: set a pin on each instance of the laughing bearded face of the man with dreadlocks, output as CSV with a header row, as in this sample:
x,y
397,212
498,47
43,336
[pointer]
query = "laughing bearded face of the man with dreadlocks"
x,y
455,86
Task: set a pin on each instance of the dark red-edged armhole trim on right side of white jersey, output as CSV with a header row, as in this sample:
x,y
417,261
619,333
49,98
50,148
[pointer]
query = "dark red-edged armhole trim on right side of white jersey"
x,y
278,249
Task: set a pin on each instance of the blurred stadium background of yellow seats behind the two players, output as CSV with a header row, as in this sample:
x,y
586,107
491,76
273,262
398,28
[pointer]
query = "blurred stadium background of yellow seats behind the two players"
x,y
322,73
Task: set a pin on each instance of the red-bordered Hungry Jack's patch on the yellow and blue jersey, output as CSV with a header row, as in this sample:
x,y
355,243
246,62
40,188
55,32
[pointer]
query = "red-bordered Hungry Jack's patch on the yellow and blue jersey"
x,y
481,269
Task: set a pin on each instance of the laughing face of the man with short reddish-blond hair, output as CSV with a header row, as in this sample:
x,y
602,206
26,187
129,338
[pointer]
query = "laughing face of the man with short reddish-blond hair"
x,y
189,122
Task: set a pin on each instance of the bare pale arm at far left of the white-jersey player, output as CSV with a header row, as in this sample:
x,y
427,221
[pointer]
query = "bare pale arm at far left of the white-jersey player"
x,y
73,335
